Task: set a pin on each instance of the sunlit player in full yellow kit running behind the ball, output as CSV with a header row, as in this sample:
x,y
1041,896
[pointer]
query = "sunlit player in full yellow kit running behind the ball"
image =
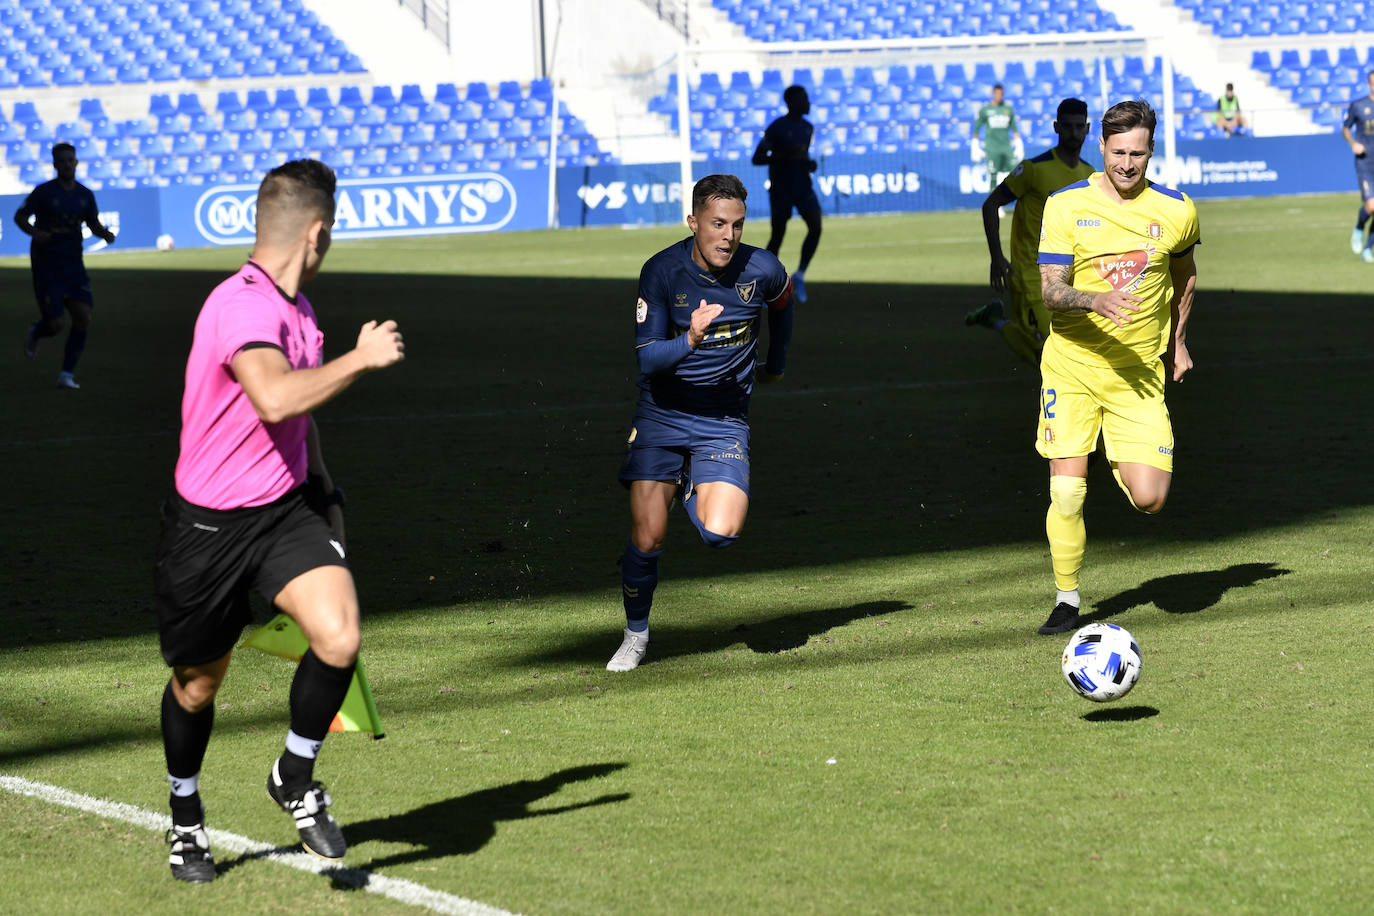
x,y
1118,275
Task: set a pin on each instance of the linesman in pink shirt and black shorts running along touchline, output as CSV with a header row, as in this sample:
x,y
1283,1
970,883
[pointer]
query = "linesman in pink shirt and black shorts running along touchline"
x,y
256,509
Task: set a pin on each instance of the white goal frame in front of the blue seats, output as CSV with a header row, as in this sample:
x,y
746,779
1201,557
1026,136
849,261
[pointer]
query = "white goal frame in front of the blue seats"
x,y
972,53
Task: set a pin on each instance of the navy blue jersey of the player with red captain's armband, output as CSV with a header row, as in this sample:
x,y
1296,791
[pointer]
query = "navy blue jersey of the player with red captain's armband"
x,y
717,378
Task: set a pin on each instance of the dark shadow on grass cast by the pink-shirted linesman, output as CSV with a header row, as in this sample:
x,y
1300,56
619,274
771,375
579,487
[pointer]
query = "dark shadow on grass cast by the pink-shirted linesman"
x,y
465,825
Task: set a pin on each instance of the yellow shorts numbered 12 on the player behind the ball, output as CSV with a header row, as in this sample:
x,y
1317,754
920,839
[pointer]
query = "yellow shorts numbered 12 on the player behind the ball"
x,y
1126,406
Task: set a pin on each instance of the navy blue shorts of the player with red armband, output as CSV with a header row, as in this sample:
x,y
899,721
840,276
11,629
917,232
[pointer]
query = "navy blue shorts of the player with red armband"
x,y
671,446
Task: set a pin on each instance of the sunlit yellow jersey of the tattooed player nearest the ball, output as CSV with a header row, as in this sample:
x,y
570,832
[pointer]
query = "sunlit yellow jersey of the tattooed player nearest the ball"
x,y
1116,247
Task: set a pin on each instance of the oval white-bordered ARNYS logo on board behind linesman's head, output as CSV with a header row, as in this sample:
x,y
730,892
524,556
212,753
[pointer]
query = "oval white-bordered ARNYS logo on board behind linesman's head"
x,y
376,208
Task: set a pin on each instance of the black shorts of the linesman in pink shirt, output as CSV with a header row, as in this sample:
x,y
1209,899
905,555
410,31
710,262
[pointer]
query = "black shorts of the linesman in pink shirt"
x,y
208,561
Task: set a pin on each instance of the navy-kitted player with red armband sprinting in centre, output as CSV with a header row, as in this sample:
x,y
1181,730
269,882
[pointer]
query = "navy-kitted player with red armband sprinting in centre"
x,y
697,339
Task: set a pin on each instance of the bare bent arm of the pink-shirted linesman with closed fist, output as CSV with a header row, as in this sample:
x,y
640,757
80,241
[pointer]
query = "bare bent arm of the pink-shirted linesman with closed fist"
x,y
278,392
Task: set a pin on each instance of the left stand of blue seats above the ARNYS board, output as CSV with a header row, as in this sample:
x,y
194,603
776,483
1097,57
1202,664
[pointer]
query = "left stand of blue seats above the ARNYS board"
x,y
120,46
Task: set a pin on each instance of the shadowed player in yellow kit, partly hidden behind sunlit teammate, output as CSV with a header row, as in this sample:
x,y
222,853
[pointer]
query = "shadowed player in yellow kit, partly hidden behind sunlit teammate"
x,y
1027,323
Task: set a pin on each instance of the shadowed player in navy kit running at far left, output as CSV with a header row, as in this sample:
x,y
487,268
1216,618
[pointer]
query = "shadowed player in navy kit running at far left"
x,y
58,211
